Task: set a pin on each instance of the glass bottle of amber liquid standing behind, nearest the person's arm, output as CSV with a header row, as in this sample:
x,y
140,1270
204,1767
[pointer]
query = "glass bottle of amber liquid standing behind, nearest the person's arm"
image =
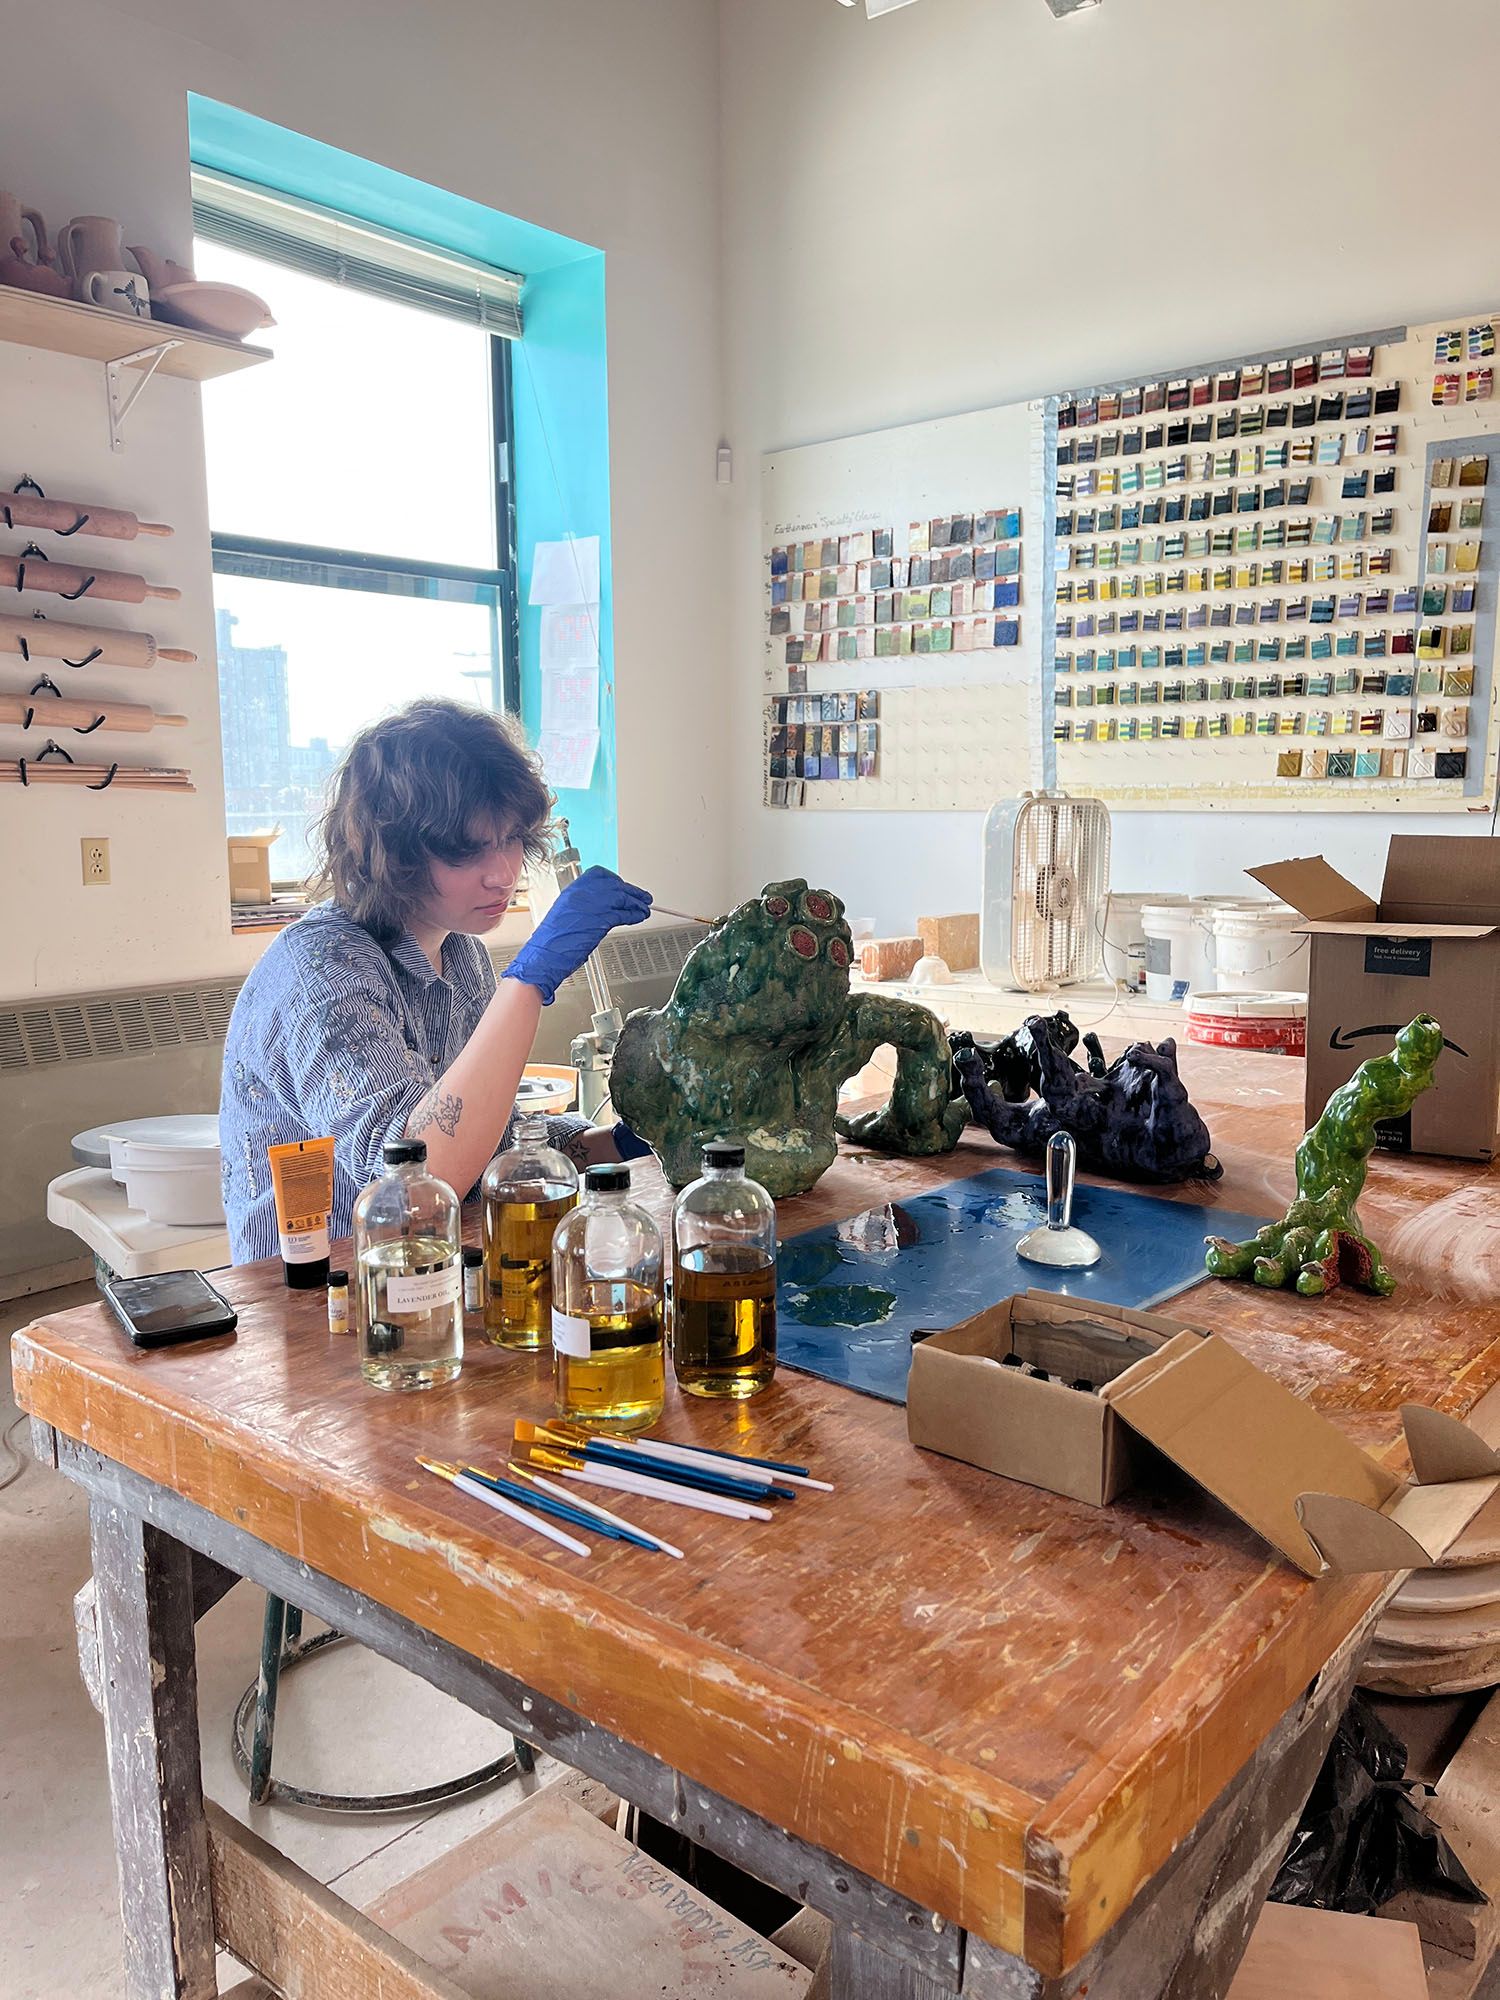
x,y
527,1191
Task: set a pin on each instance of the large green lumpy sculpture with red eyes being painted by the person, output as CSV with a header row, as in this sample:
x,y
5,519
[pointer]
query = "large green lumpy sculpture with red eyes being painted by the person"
x,y
757,1039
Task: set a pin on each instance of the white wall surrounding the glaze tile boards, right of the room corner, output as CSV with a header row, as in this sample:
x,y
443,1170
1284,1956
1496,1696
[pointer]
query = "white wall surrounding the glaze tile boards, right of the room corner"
x,y
971,203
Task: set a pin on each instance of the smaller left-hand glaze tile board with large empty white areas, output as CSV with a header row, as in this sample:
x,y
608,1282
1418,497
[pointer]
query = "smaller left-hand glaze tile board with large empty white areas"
x,y
957,729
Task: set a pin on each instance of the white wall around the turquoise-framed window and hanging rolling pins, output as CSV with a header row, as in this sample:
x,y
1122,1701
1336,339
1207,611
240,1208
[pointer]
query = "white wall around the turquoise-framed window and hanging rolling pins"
x,y
587,117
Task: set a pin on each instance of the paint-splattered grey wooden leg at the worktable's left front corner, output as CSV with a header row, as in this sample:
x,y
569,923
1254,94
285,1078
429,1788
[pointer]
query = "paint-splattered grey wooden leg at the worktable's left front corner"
x,y
151,1725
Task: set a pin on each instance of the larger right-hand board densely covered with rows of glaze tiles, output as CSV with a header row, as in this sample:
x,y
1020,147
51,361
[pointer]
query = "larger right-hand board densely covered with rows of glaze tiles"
x,y
1275,581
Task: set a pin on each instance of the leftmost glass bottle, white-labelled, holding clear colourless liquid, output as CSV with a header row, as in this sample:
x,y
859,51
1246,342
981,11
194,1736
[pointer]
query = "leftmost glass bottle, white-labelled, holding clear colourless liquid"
x,y
409,1275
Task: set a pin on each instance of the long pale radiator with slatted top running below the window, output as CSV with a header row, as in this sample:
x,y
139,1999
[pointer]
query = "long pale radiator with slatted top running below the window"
x,y
87,1059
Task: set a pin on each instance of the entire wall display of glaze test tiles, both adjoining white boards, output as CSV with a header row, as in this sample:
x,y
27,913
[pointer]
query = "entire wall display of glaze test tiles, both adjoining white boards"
x,y
1249,585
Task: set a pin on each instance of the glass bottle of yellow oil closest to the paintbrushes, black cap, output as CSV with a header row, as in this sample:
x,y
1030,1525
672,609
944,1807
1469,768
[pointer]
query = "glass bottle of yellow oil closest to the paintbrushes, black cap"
x,y
607,1309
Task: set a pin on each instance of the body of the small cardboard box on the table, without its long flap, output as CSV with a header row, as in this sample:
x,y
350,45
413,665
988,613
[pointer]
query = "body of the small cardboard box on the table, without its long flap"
x,y
963,1399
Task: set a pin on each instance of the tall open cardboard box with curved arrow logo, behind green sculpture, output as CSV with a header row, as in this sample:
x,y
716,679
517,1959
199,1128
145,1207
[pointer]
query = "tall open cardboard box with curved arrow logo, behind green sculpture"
x,y
1429,947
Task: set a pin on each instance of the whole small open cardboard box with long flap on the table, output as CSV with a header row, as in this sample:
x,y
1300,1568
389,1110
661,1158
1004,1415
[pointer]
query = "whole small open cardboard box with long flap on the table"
x,y
1253,1445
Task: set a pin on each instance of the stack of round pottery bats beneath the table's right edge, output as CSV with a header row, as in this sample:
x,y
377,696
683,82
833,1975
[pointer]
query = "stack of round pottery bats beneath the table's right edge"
x,y
1441,1633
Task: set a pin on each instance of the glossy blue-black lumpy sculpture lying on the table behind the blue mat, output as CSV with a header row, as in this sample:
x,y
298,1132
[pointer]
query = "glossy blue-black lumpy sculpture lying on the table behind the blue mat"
x,y
1133,1119
